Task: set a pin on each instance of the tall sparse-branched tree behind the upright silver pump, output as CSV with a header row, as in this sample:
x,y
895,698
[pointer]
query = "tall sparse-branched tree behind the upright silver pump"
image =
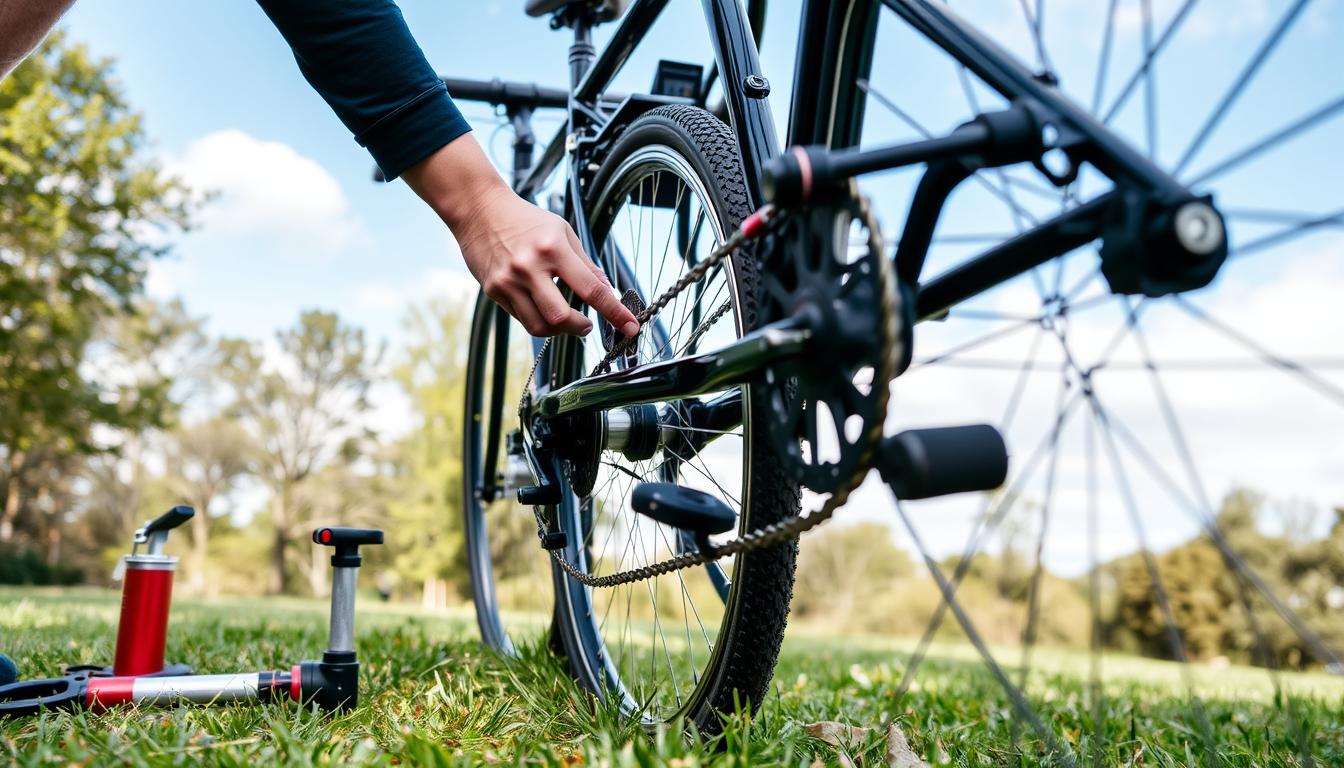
x,y
303,412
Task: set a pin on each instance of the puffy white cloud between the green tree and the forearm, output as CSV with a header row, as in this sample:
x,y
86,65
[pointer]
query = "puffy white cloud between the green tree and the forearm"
x,y
267,189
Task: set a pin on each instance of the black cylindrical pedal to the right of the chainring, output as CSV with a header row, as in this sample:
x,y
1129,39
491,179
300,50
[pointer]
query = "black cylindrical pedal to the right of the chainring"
x,y
925,463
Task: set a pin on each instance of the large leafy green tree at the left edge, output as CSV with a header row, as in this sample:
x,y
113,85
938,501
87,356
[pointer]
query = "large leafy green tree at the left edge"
x,y
83,212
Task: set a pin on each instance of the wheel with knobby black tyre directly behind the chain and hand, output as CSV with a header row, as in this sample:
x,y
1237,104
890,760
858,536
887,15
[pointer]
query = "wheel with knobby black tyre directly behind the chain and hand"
x,y
701,642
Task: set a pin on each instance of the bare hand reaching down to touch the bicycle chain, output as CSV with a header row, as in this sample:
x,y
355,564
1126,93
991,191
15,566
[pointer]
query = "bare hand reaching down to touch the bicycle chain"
x,y
513,248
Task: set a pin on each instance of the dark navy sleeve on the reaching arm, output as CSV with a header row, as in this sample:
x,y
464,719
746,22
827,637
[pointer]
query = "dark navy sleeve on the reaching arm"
x,y
361,57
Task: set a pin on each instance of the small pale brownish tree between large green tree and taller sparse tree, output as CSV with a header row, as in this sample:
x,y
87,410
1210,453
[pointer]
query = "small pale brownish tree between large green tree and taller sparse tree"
x,y
204,463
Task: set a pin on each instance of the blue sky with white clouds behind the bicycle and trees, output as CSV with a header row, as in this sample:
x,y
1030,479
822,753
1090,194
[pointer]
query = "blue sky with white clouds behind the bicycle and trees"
x,y
299,223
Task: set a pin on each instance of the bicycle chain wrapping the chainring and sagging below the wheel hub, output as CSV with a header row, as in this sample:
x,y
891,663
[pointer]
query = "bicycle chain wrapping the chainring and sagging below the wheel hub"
x,y
799,525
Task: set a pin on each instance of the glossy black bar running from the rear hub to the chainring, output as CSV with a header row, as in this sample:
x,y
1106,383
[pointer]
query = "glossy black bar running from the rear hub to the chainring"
x,y
737,364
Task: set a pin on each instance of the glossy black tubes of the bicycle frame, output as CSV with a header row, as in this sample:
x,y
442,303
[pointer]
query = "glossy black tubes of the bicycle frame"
x,y
835,54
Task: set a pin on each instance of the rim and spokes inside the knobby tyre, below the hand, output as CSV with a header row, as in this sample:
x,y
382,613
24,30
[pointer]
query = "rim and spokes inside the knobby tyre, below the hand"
x,y
648,644
